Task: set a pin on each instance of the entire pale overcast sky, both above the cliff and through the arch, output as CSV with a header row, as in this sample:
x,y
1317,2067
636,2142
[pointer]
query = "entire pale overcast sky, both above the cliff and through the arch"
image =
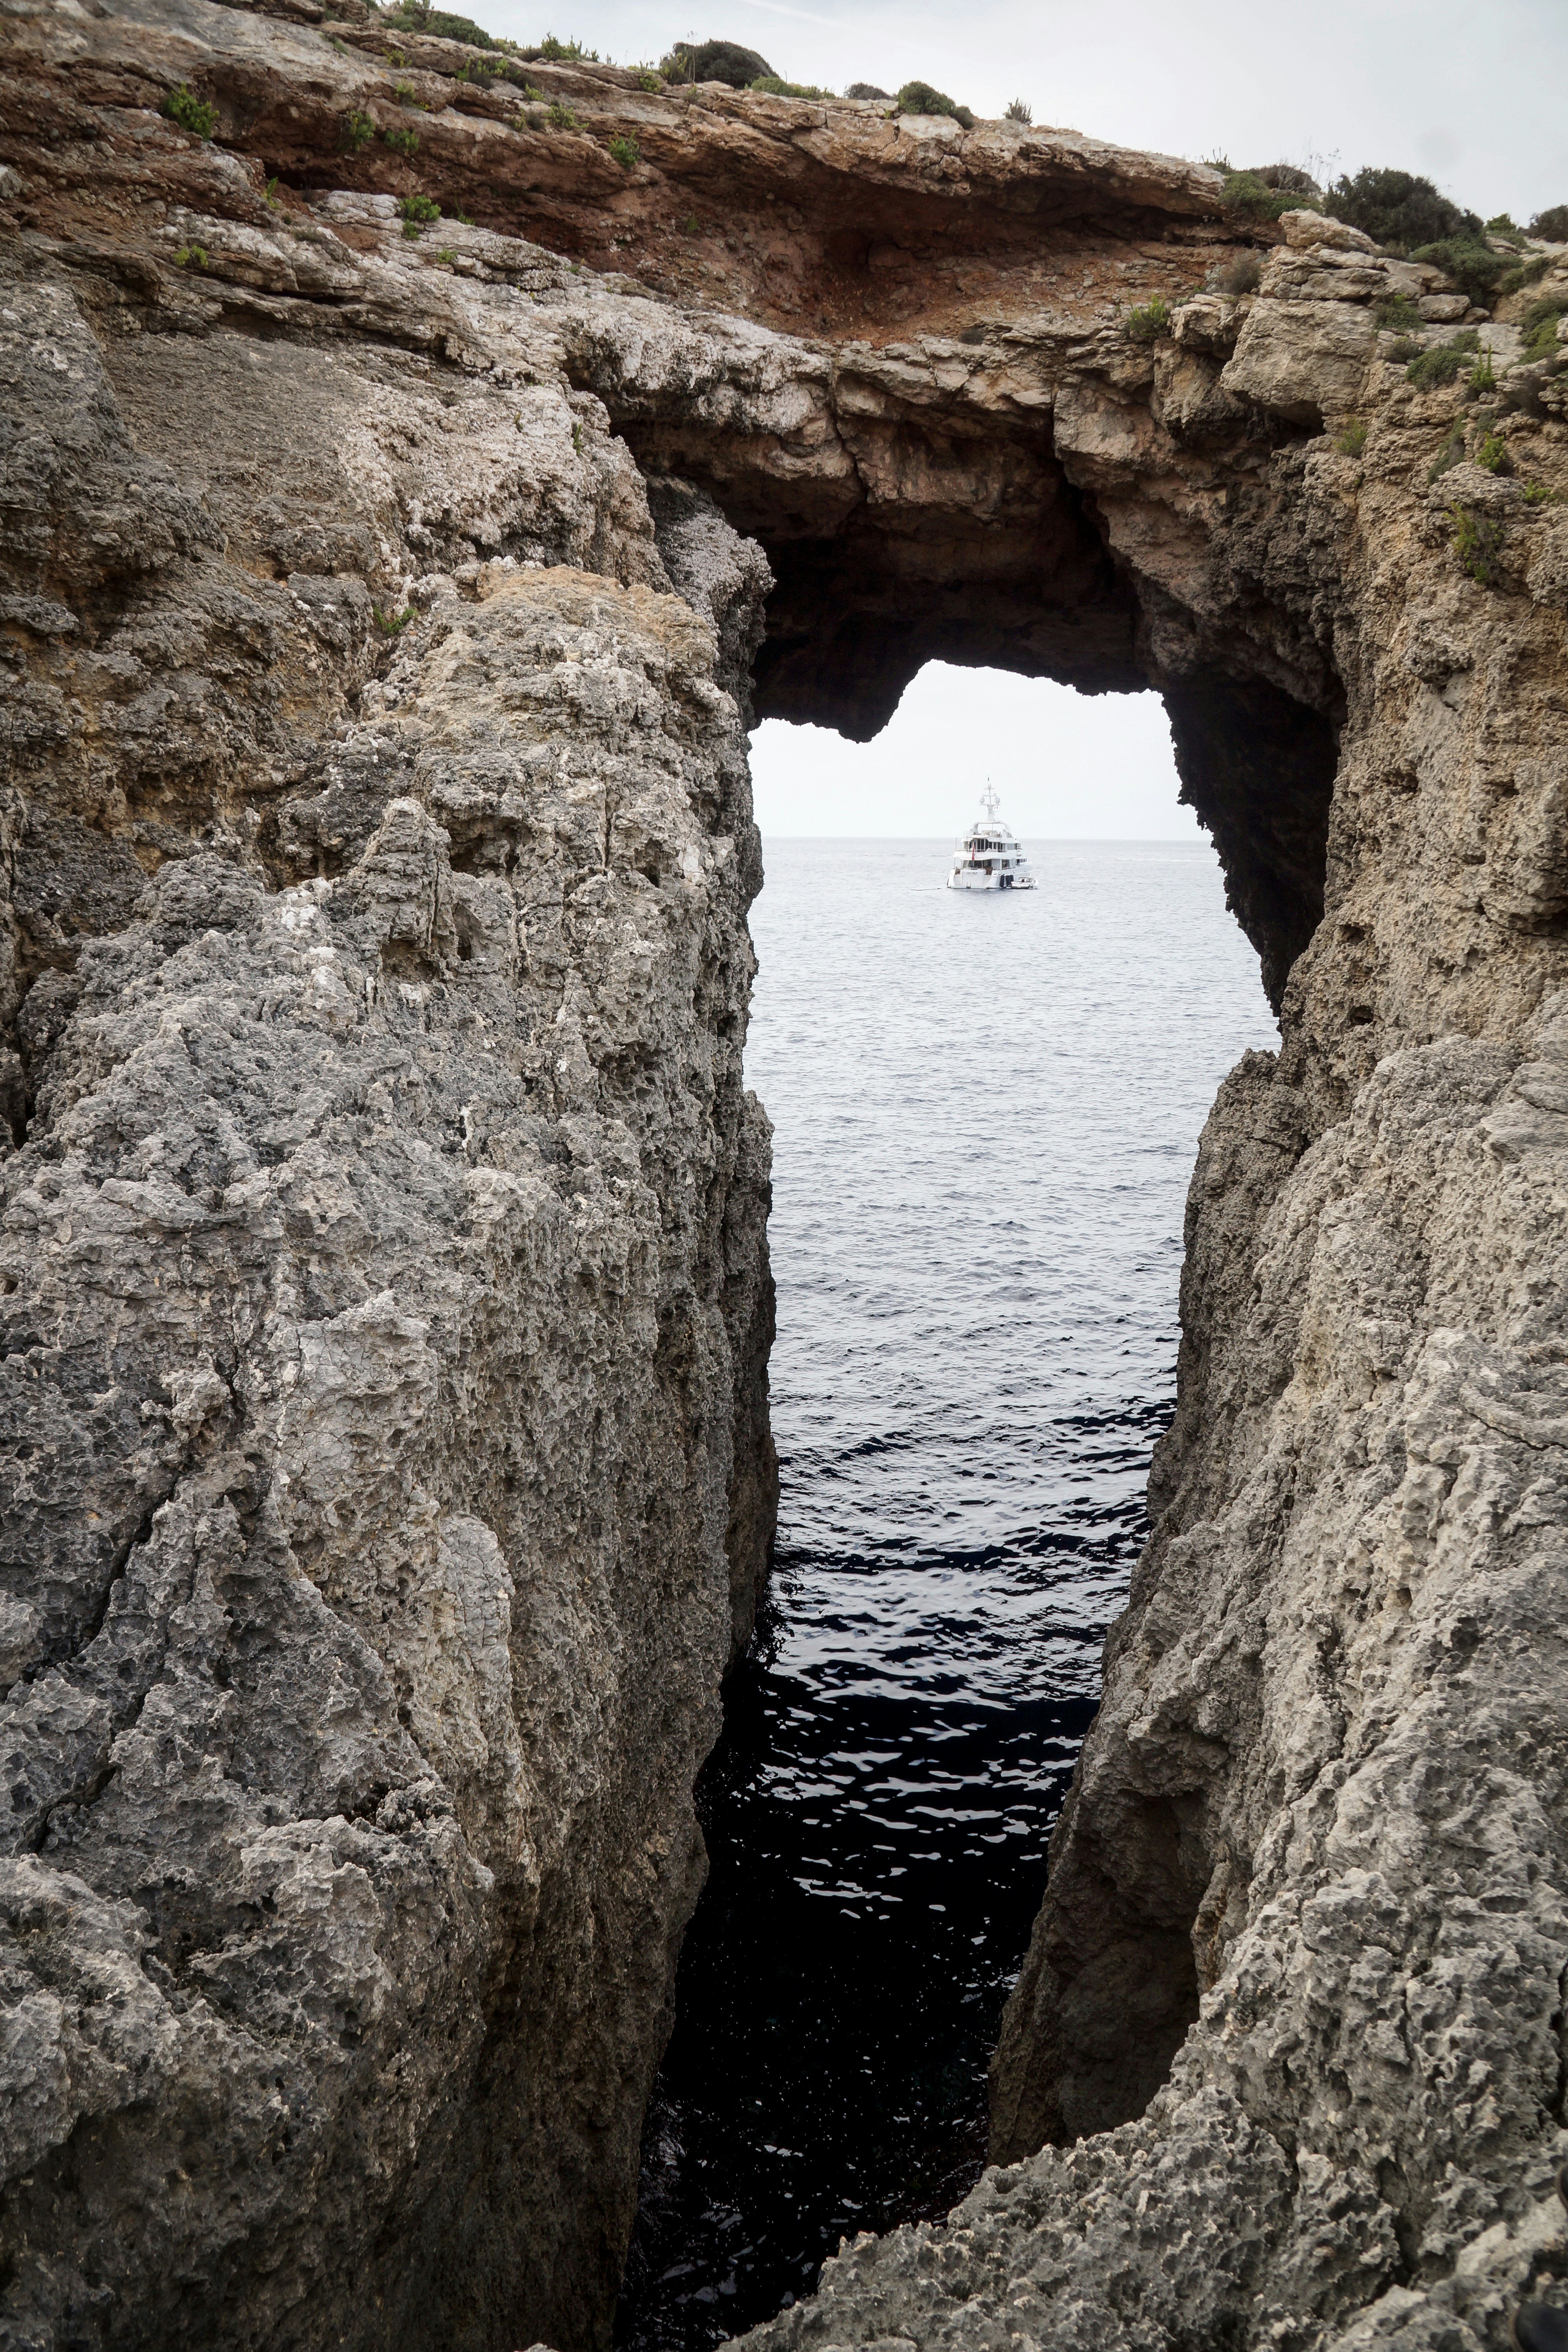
x,y
1473,98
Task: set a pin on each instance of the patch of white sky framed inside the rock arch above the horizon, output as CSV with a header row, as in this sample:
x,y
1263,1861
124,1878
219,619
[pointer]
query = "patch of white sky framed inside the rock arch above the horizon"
x,y
1066,766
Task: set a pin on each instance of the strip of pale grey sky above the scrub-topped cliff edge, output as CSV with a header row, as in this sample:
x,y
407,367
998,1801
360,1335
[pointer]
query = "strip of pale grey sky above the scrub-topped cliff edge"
x,y
1473,98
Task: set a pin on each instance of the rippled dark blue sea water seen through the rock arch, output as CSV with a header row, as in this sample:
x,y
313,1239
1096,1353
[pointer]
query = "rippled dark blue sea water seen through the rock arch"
x,y
984,1123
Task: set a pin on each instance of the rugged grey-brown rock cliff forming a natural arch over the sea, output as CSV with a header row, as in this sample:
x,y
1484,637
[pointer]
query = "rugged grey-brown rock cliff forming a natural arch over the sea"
x,y
387,1302
